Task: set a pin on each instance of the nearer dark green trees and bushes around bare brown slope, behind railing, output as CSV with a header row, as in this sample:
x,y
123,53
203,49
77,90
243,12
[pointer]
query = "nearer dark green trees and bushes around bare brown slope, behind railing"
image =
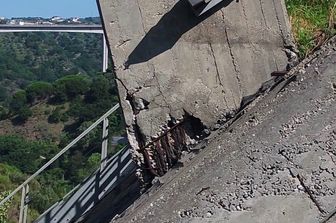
x,y
74,97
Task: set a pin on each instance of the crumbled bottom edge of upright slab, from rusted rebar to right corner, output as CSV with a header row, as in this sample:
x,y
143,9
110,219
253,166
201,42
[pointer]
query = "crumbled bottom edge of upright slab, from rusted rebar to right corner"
x,y
189,138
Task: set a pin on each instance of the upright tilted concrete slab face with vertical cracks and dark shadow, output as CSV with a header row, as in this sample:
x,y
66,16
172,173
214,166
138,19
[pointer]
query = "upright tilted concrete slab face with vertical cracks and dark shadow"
x,y
170,64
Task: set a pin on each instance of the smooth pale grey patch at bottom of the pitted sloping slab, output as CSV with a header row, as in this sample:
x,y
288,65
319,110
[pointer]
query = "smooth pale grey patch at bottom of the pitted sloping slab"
x,y
275,209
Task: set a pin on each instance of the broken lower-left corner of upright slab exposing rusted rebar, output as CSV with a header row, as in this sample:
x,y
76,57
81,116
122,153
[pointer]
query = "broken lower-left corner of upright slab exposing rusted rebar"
x,y
175,136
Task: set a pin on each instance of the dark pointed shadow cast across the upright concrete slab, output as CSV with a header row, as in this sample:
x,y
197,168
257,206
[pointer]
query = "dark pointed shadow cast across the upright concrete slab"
x,y
168,31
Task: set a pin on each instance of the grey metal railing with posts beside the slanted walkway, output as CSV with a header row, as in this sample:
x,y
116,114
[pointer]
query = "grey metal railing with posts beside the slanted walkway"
x,y
24,187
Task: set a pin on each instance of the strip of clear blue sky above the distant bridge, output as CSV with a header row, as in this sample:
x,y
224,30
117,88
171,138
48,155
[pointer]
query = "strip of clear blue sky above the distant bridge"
x,y
48,8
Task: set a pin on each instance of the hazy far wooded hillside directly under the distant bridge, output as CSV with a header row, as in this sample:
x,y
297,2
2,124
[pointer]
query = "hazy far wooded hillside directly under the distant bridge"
x,y
25,57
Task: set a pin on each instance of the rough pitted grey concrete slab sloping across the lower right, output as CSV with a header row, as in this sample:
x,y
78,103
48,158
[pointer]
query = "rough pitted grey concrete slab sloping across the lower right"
x,y
276,163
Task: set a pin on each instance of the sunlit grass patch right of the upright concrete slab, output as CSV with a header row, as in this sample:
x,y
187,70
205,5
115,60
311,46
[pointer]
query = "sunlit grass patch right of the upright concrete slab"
x,y
313,22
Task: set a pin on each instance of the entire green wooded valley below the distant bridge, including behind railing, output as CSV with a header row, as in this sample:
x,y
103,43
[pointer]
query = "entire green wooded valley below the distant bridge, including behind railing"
x,y
50,90
